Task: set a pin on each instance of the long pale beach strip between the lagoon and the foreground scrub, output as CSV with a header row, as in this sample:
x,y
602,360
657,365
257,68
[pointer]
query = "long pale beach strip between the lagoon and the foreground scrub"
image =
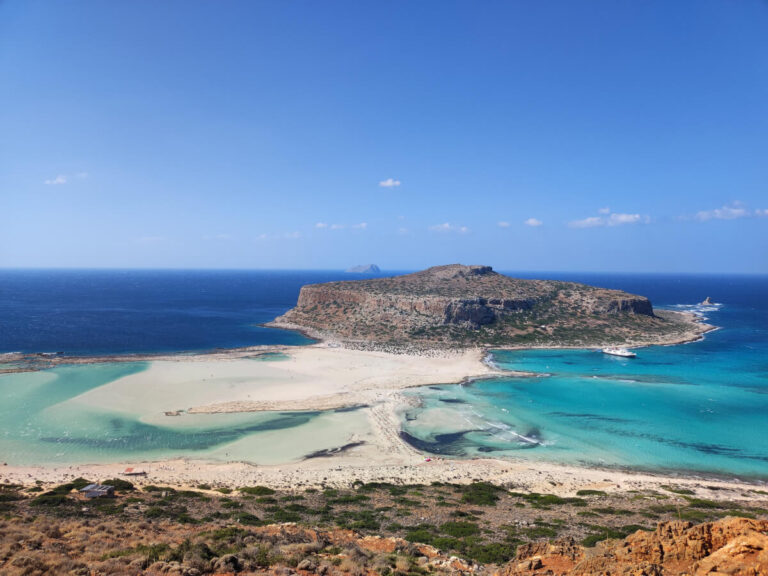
x,y
344,469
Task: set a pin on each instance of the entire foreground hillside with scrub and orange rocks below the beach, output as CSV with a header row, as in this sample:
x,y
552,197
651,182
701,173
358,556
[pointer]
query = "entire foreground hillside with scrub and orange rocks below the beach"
x,y
378,529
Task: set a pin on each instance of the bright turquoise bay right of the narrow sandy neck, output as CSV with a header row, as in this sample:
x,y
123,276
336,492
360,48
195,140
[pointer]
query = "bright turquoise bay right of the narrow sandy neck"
x,y
700,406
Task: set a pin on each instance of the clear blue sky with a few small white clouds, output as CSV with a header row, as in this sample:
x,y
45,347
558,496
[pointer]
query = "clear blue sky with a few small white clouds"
x,y
607,135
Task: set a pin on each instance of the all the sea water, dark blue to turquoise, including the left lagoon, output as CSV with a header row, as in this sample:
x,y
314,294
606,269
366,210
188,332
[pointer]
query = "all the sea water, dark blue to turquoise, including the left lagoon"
x,y
700,406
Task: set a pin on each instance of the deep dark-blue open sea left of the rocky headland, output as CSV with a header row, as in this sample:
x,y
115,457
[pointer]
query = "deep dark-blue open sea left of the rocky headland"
x,y
100,312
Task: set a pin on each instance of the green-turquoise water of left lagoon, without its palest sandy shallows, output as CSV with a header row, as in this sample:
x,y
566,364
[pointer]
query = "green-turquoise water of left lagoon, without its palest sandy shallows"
x,y
39,426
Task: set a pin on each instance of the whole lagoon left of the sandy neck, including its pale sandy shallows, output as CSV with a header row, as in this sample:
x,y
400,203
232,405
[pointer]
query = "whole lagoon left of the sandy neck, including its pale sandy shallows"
x,y
42,423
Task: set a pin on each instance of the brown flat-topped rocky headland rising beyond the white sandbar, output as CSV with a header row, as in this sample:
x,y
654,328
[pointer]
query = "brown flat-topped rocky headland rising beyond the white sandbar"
x,y
455,305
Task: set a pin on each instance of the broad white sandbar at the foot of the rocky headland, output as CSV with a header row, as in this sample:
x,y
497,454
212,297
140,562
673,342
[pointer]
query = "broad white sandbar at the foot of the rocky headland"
x,y
311,378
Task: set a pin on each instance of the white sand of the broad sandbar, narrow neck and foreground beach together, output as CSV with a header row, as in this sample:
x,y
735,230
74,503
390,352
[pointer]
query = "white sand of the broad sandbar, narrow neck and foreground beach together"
x,y
321,377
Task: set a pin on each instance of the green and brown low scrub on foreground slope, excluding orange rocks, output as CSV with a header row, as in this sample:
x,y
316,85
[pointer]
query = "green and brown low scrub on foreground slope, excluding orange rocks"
x,y
206,529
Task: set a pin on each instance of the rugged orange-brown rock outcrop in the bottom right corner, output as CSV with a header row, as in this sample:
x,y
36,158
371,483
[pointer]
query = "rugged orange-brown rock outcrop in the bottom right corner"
x,y
735,546
